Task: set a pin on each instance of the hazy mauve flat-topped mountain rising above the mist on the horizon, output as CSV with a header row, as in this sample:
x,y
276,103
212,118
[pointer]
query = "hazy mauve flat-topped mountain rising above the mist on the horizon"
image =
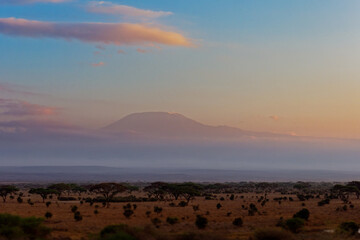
x,y
175,125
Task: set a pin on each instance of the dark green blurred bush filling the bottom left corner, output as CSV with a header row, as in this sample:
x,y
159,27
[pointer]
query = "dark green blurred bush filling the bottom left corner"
x,y
15,227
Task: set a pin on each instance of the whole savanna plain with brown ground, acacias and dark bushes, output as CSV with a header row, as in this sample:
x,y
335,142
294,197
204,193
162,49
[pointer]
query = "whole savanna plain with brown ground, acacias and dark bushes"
x,y
178,211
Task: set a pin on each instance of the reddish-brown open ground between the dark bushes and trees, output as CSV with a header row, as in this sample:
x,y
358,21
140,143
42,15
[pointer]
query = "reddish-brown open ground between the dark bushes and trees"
x,y
220,220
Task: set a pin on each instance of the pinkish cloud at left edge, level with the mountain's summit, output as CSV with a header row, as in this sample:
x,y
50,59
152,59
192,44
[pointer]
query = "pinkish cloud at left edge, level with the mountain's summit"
x,y
18,108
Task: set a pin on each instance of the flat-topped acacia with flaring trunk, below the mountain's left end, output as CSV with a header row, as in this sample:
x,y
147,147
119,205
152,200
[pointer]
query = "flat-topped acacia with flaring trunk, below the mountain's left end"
x,y
108,190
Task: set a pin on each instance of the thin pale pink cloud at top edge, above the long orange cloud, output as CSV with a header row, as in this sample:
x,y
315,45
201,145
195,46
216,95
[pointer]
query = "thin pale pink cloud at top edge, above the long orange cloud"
x,y
127,11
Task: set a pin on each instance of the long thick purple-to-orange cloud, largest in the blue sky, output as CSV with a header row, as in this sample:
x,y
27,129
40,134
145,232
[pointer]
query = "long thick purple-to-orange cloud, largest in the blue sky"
x,y
104,33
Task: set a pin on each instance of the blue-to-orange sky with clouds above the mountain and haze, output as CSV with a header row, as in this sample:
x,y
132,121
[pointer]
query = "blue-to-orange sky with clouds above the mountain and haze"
x,y
277,66
